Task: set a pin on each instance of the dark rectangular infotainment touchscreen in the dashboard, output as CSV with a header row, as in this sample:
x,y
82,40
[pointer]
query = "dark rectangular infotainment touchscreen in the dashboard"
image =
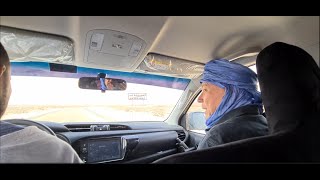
x,y
100,150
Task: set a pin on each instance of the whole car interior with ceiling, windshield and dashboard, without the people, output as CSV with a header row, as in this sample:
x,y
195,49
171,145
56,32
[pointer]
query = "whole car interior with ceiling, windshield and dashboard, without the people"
x,y
148,113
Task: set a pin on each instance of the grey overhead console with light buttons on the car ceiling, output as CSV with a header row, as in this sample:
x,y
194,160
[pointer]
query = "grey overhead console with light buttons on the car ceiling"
x,y
113,49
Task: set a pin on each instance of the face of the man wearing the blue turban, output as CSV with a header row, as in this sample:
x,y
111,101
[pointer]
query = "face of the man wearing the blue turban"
x,y
210,97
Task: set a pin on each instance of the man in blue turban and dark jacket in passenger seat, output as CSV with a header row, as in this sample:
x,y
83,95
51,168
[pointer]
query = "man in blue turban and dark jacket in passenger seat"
x,y
232,104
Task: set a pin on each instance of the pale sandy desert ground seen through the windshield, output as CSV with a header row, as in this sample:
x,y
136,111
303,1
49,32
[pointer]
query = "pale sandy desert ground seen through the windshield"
x,y
88,113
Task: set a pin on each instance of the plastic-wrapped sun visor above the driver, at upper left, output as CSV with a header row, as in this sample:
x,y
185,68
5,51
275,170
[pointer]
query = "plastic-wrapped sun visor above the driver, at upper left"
x,y
23,46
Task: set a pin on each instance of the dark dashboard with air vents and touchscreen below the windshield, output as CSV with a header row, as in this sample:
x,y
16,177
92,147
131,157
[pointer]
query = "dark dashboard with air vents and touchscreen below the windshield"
x,y
131,142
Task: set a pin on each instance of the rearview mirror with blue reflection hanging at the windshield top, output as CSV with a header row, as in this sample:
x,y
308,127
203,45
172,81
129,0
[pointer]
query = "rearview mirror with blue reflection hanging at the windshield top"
x,y
103,84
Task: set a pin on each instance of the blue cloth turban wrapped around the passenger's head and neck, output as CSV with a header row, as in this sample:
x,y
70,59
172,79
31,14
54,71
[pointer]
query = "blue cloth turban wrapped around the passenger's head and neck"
x,y
239,82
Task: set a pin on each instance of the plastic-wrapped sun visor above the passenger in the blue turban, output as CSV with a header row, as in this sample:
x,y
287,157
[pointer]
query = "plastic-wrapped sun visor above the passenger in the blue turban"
x,y
170,66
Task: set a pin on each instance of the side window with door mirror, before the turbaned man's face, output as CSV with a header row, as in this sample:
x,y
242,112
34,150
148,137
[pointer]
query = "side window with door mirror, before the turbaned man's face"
x,y
195,118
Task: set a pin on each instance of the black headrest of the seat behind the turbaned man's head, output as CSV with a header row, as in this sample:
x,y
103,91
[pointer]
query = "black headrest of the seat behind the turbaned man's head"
x,y
290,85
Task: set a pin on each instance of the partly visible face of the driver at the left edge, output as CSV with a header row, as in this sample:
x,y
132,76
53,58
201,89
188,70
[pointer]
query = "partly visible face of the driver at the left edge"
x,y
5,87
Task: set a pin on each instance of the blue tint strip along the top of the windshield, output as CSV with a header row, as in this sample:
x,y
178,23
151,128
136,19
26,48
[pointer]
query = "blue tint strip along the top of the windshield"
x,y
42,69
